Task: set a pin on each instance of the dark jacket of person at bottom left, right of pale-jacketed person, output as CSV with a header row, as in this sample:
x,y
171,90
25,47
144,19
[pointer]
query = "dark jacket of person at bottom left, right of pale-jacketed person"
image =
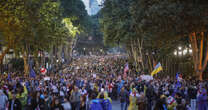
x,y
15,104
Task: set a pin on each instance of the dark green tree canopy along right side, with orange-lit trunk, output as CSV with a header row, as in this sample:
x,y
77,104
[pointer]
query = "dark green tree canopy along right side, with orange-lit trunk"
x,y
158,26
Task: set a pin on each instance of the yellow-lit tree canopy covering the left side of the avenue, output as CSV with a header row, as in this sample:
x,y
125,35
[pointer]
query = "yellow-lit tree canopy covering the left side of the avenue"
x,y
30,26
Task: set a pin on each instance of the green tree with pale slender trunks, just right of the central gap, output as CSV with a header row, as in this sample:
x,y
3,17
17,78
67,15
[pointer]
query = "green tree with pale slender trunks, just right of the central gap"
x,y
121,25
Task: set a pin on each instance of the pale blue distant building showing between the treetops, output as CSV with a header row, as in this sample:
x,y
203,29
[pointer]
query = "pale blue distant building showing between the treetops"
x,y
93,6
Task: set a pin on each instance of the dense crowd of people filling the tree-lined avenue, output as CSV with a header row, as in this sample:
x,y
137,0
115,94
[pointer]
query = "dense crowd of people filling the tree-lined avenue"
x,y
87,86
